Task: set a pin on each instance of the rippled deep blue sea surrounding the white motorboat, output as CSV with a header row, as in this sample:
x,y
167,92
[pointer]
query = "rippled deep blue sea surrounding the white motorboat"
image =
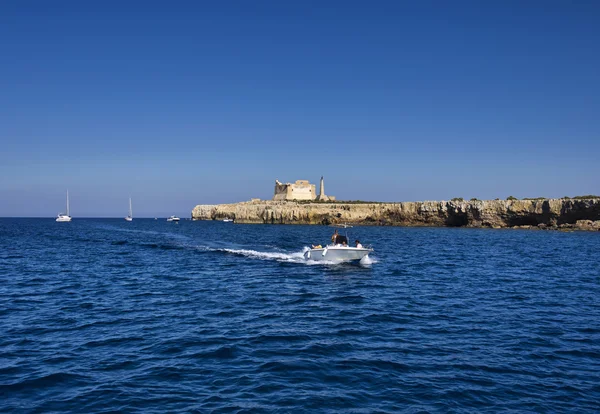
x,y
102,315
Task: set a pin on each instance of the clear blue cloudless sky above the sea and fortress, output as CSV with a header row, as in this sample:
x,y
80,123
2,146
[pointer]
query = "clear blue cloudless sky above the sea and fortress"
x,y
185,103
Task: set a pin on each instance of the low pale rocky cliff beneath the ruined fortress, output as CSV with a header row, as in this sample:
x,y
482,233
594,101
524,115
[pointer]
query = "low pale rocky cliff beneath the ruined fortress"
x,y
581,214
